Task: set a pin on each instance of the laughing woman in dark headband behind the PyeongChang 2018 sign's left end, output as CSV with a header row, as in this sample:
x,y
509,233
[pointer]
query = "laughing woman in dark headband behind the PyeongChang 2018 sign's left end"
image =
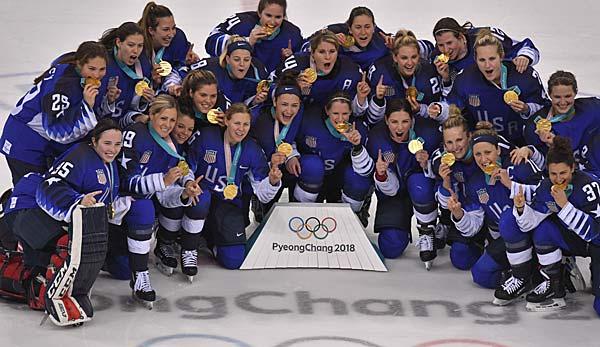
x,y
275,129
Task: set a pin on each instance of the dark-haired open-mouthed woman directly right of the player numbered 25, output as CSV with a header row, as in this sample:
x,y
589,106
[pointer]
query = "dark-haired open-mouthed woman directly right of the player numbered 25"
x,y
129,72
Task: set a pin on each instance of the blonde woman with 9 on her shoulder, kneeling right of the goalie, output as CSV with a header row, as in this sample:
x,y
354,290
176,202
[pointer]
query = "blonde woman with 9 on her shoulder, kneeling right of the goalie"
x,y
152,168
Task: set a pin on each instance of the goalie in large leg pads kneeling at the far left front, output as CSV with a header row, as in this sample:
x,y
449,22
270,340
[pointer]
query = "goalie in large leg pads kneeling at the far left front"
x,y
42,208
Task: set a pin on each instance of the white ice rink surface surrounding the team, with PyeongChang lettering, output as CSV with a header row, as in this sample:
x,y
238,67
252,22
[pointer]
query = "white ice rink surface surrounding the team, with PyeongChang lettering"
x,y
406,306
